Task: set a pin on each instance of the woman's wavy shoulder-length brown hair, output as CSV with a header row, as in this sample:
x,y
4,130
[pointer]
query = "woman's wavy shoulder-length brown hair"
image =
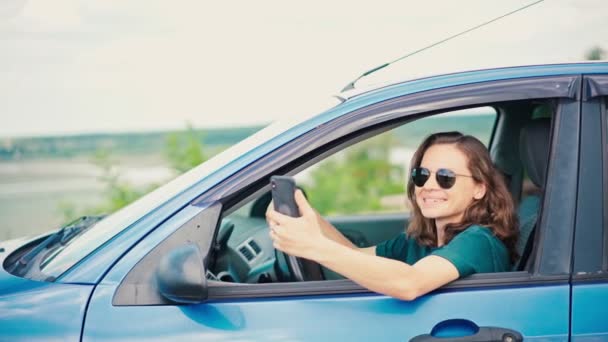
x,y
495,210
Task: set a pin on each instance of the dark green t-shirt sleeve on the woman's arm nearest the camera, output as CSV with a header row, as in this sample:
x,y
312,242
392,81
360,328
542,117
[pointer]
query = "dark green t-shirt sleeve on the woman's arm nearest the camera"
x,y
470,252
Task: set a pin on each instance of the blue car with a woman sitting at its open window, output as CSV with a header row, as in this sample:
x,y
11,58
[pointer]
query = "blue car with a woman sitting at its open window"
x,y
193,259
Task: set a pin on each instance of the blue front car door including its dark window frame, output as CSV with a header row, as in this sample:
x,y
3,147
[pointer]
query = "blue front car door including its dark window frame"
x,y
534,303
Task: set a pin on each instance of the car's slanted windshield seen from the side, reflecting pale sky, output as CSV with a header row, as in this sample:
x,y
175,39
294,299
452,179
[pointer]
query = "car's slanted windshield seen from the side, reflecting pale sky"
x,y
104,230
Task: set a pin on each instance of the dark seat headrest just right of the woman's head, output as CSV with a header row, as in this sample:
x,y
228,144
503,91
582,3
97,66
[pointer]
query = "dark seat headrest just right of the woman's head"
x,y
534,149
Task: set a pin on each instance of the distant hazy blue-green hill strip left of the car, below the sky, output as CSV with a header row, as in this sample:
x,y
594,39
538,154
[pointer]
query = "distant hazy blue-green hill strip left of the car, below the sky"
x,y
117,143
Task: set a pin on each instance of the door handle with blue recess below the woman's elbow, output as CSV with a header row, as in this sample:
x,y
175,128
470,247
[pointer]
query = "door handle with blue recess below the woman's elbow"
x,y
457,330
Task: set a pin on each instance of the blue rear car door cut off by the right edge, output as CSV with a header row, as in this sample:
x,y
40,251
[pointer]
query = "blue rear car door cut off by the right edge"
x,y
590,277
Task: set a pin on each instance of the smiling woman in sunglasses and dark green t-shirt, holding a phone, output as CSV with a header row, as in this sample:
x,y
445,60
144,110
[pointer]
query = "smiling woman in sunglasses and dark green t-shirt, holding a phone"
x,y
463,222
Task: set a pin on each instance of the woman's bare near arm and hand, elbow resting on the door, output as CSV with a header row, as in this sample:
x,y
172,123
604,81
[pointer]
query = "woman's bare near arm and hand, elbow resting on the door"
x,y
304,237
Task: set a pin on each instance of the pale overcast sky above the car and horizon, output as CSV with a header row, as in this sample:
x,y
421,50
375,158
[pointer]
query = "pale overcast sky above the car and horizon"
x,y
70,67
